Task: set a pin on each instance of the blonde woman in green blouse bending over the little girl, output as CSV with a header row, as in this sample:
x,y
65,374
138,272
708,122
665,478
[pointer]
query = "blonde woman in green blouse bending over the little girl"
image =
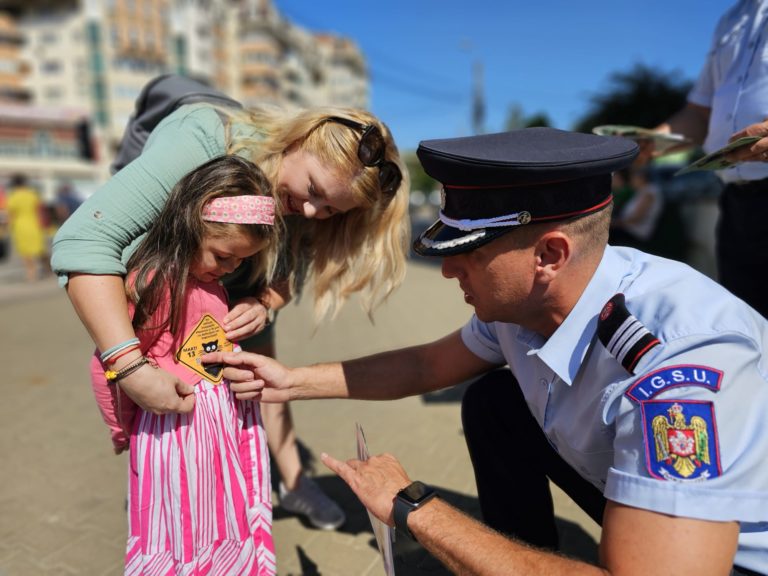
x,y
342,191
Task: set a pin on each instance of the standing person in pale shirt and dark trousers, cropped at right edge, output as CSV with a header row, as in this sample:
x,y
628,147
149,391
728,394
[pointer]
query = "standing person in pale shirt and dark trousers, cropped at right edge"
x,y
728,101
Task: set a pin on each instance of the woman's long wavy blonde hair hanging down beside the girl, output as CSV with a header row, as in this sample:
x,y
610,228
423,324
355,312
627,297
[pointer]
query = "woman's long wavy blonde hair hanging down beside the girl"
x,y
363,250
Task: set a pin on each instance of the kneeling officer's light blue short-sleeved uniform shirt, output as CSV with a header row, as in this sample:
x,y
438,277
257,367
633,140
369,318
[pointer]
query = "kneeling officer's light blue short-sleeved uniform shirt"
x,y
619,430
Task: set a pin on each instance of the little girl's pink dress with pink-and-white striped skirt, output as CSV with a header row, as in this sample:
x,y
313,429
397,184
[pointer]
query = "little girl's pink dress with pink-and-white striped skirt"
x,y
200,494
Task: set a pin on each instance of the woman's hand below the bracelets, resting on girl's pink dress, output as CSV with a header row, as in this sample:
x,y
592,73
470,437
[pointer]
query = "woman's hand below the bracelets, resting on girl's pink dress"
x,y
158,391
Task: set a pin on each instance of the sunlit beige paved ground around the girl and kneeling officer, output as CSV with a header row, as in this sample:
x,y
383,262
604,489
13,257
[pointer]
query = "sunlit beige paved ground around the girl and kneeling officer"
x,y
62,491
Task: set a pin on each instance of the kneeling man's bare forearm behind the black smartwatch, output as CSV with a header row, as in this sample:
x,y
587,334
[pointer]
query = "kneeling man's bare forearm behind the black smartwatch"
x,y
468,547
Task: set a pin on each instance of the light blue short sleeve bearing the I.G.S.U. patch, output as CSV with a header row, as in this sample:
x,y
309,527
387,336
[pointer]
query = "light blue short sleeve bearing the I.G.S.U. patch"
x,y
690,433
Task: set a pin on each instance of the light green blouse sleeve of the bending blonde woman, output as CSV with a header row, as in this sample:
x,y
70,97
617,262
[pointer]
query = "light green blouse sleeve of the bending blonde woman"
x,y
100,236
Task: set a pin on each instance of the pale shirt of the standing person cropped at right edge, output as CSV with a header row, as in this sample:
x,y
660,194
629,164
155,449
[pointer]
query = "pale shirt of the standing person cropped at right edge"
x,y
734,81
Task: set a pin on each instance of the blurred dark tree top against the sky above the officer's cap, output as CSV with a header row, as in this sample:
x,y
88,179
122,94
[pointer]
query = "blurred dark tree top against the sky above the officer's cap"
x,y
642,96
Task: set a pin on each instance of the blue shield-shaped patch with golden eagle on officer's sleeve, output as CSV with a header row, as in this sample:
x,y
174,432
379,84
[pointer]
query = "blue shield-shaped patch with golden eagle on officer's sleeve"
x,y
681,440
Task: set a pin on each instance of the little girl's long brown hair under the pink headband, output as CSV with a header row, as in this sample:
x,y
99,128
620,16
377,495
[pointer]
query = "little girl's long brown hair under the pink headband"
x,y
161,264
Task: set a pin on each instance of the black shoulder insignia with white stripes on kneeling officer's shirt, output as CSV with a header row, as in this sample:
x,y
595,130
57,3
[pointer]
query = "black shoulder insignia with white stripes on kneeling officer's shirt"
x,y
623,335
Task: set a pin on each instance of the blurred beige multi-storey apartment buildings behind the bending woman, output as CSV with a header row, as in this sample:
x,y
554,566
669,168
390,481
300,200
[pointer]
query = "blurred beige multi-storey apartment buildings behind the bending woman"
x,y
76,59
